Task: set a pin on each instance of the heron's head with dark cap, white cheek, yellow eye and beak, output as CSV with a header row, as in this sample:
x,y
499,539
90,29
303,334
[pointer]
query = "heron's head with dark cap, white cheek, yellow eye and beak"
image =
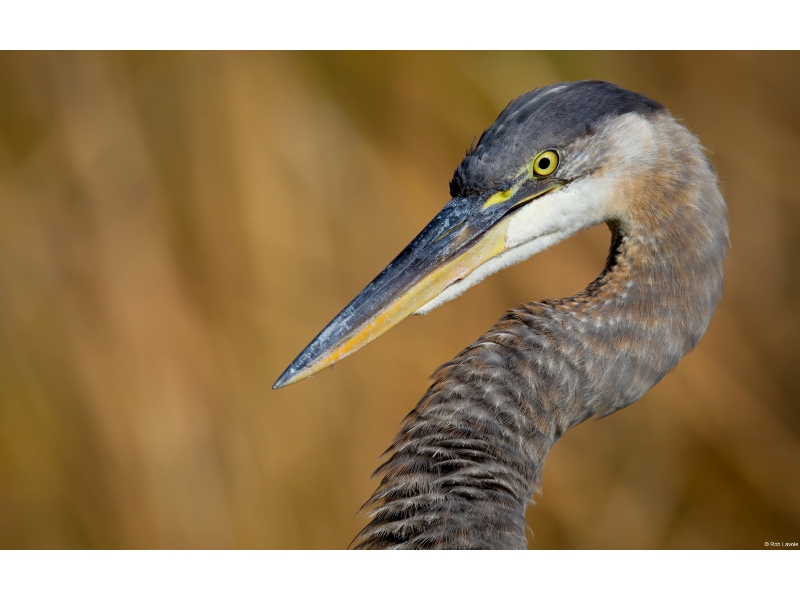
x,y
549,166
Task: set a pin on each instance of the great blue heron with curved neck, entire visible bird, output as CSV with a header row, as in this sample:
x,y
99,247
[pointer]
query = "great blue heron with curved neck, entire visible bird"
x,y
557,160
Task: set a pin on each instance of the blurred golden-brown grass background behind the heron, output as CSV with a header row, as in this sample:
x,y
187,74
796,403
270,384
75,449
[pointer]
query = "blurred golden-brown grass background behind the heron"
x,y
175,227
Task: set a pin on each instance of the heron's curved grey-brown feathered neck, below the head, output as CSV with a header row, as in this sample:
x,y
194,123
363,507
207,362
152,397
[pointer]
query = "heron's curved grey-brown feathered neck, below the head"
x,y
470,456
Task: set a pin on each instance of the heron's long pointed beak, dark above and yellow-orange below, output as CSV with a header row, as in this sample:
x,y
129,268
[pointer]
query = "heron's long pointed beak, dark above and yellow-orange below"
x,y
464,235
